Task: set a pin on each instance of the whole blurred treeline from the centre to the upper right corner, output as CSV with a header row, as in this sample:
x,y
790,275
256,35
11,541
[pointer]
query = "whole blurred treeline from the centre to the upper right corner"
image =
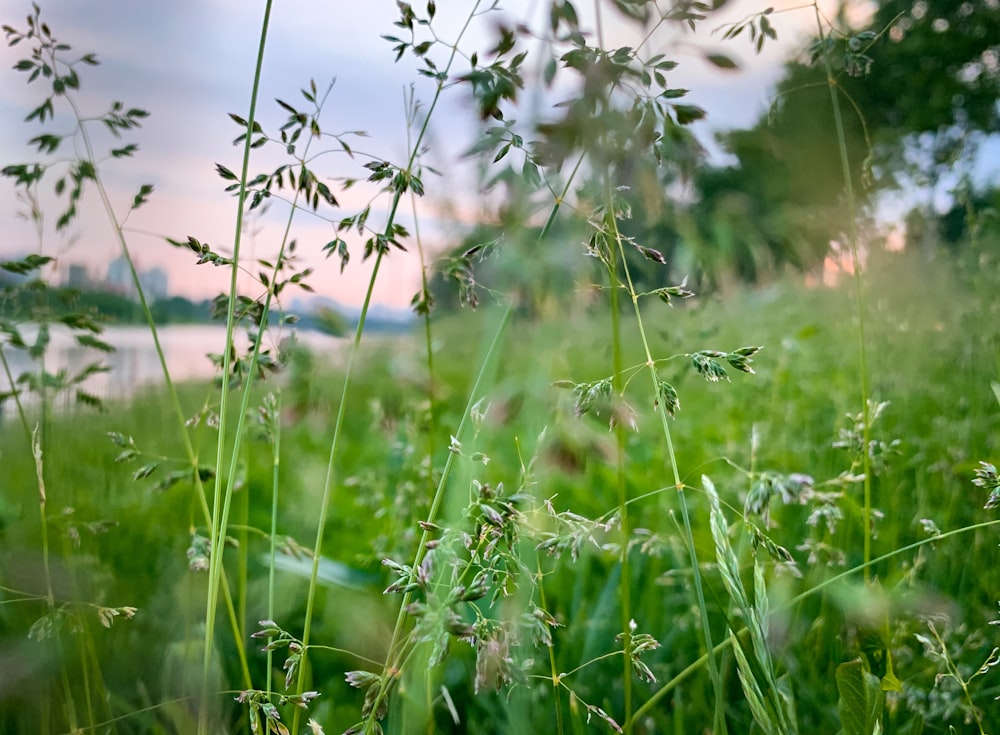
x,y
918,87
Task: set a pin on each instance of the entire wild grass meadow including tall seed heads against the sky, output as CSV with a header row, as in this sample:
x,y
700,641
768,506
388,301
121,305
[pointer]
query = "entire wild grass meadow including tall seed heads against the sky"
x,y
616,506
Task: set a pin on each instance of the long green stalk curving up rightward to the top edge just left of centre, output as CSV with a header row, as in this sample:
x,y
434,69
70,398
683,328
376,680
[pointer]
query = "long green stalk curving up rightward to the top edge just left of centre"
x,y
328,485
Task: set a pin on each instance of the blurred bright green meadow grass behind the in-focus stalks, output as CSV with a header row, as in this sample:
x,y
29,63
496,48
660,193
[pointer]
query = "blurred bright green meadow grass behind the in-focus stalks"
x,y
935,375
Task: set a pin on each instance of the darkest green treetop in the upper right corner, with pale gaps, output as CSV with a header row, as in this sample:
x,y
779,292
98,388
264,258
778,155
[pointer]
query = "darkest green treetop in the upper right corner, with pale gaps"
x,y
931,96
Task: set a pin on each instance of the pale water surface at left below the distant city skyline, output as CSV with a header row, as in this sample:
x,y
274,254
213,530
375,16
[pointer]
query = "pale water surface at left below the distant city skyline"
x,y
135,364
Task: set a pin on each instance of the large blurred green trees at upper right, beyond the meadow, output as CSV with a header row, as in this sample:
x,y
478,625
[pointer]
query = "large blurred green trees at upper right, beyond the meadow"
x,y
918,88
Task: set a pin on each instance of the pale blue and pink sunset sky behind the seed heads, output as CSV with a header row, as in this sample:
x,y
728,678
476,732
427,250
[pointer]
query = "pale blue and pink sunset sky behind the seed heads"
x,y
190,62
